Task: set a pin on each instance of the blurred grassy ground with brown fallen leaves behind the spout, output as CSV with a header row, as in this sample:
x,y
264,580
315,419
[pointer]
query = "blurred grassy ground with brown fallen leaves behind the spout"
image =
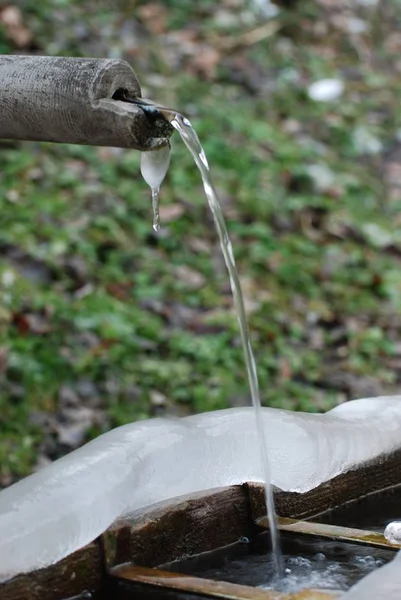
x,y
103,322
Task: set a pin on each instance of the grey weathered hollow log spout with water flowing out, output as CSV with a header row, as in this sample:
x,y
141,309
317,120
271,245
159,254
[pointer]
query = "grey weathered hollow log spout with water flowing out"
x,y
75,101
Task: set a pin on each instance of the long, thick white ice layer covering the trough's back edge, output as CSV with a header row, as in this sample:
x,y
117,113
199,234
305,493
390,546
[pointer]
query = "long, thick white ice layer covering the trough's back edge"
x,y
59,509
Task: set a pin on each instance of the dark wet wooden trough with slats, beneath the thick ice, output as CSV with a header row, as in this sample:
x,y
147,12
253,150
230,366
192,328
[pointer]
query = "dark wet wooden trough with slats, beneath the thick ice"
x,y
154,553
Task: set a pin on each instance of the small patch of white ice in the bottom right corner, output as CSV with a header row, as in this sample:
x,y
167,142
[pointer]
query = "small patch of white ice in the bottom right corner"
x,y
384,583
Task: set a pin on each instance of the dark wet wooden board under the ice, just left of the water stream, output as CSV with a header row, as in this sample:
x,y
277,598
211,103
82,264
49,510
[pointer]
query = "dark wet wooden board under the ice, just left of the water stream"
x,y
202,522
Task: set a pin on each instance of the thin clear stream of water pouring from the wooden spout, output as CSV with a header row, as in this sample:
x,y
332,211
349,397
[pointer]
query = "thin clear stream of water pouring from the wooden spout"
x,y
191,140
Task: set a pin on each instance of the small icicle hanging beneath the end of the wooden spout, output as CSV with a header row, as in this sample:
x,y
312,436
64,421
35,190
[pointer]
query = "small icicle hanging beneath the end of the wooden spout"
x,y
154,166
